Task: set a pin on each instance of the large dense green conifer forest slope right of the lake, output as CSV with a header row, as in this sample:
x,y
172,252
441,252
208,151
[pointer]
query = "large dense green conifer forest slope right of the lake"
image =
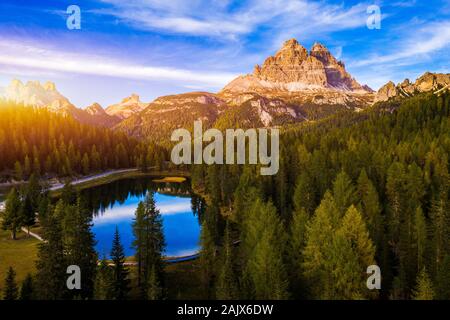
x,y
353,190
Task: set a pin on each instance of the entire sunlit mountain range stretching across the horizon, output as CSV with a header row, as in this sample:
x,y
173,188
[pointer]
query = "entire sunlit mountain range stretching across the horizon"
x,y
292,86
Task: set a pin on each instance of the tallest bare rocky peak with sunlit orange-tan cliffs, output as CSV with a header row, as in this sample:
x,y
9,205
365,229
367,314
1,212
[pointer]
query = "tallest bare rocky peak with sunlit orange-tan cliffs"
x,y
294,69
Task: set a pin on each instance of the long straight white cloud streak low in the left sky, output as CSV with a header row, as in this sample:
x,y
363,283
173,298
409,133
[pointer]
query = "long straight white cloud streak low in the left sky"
x,y
40,58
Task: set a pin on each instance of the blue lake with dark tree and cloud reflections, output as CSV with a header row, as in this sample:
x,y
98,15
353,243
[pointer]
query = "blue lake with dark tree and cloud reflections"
x,y
114,204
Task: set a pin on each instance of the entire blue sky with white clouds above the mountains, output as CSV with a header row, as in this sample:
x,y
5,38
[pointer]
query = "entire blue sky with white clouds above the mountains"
x,y
159,47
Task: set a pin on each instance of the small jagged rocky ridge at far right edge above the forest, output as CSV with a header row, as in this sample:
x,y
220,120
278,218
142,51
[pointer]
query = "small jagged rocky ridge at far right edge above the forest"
x,y
434,82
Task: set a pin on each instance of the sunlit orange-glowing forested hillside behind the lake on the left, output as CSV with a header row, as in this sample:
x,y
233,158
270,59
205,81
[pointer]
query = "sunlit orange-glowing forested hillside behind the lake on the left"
x,y
35,140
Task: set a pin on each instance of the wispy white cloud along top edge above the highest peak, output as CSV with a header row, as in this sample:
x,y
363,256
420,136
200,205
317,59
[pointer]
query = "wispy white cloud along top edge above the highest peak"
x,y
228,20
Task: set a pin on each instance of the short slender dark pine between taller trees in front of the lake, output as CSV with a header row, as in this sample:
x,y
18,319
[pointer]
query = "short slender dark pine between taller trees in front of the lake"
x,y
120,284
